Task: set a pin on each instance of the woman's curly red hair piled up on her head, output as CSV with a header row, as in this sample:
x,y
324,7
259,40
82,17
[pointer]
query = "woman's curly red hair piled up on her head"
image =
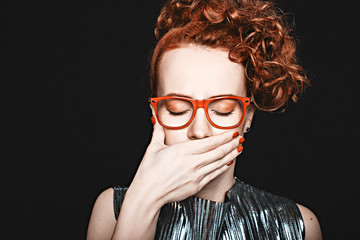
x,y
253,32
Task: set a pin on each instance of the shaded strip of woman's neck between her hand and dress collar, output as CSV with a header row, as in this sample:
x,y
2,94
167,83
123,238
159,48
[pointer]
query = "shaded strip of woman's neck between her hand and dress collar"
x,y
215,190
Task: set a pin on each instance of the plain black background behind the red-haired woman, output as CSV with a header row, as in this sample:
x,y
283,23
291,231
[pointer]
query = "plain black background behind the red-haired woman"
x,y
75,118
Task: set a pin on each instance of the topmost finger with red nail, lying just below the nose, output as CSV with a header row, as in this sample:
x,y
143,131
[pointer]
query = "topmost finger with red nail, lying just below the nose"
x,y
207,144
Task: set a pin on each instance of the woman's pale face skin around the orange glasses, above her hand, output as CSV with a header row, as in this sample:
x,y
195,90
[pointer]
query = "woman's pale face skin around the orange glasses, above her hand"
x,y
200,73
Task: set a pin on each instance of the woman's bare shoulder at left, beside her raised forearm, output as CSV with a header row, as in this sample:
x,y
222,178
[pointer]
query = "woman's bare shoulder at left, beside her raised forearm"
x,y
102,220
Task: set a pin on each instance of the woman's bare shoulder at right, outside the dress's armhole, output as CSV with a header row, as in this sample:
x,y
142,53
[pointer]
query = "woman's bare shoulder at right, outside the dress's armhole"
x,y
312,225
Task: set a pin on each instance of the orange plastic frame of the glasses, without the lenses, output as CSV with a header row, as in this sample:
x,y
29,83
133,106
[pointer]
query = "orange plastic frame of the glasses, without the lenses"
x,y
196,103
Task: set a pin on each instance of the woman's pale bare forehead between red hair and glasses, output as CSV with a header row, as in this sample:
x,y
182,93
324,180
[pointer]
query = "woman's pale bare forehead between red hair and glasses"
x,y
200,72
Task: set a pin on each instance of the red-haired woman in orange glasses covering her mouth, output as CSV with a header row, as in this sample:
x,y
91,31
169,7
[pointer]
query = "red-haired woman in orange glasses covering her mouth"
x,y
216,62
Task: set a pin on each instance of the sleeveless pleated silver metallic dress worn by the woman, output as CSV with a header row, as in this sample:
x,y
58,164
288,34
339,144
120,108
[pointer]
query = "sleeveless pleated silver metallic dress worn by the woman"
x,y
246,213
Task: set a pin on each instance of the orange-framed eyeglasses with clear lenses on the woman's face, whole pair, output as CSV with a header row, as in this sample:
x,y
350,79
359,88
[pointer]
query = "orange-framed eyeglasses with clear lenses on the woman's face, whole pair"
x,y
178,112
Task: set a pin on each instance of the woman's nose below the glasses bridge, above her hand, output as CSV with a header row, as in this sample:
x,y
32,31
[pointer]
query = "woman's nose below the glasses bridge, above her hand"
x,y
200,127
